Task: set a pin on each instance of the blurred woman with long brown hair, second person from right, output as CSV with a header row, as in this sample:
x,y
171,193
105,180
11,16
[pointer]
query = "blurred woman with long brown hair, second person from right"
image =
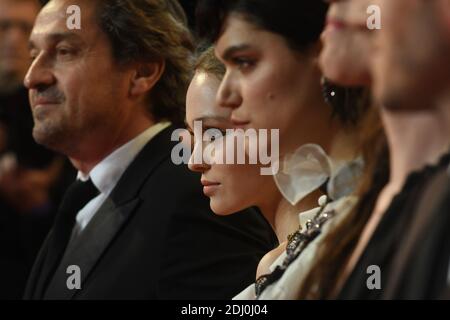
x,y
345,62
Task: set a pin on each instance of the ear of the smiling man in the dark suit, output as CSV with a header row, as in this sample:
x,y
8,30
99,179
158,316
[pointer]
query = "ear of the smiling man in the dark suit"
x,y
145,77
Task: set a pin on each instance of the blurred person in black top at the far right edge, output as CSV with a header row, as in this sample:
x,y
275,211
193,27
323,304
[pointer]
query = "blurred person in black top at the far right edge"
x,y
410,241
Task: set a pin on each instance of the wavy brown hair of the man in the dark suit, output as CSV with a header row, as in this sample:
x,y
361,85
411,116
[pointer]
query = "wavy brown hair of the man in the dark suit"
x,y
152,30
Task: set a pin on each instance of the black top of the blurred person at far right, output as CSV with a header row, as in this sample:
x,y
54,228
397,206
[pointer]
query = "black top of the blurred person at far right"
x,y
425,274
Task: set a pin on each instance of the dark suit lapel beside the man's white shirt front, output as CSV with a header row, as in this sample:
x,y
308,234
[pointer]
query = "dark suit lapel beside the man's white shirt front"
x,y
86,251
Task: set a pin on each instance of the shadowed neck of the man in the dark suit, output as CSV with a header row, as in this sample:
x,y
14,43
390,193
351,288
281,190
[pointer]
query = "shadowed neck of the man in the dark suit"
x,y
95,151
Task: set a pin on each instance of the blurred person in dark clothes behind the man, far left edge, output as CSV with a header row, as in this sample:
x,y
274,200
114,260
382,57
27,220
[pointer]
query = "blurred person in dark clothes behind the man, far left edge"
x,y
30,175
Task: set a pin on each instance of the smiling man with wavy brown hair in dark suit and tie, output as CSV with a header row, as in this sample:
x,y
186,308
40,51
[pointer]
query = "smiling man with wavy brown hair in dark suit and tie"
x,y
107,83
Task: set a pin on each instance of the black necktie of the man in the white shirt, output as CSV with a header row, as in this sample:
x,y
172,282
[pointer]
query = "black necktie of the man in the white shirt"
x,y
76,197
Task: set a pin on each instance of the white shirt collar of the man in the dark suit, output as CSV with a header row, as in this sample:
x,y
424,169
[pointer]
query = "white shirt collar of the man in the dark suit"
x,y
108,172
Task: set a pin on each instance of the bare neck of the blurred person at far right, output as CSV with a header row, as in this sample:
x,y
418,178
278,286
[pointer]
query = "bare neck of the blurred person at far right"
x,y
415,139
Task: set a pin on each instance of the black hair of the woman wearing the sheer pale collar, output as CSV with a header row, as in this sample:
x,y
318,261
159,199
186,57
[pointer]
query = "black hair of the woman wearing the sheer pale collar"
x,y
300,22
